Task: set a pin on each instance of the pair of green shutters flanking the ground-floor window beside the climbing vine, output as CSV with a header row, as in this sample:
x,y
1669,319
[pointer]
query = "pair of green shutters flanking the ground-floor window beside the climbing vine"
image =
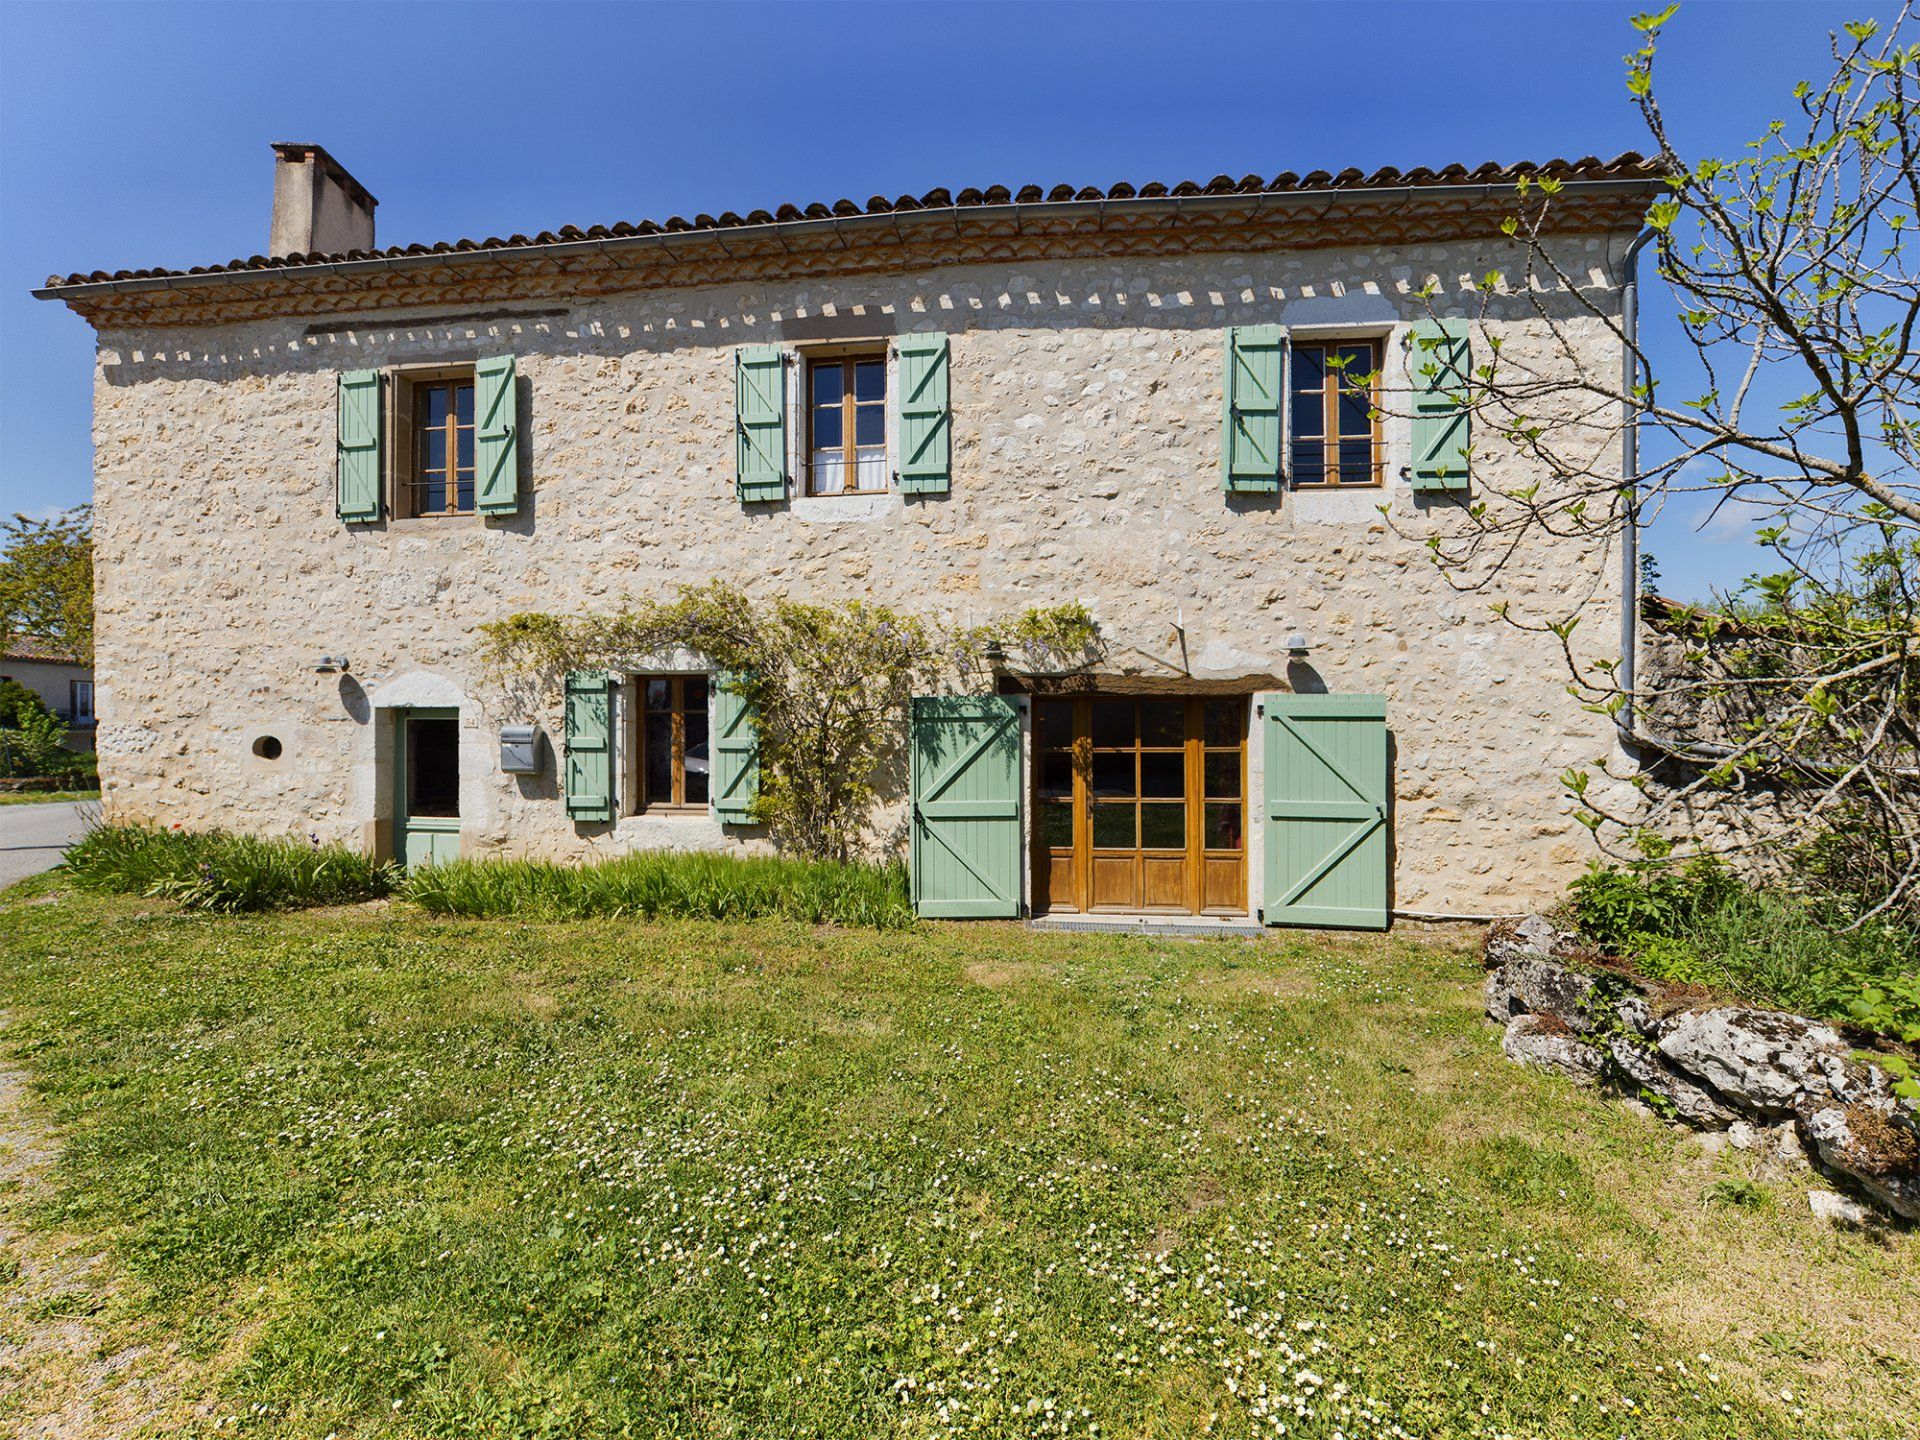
x,y
587,759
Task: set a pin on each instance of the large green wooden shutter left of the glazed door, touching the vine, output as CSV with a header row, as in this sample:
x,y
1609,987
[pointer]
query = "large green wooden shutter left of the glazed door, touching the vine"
x,y
967,805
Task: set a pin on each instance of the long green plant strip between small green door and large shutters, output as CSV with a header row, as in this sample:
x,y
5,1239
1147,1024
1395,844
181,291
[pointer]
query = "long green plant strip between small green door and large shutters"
x,y
669,884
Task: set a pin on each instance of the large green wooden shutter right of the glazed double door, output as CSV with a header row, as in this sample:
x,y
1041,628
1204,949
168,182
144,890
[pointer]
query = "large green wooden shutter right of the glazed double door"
x,y
1324,761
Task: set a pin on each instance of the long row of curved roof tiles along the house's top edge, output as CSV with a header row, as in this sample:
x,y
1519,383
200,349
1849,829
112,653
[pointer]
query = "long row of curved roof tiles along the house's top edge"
x,y
1623,168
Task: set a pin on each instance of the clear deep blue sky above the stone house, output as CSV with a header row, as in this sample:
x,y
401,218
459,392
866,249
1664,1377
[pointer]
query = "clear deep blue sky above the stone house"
x,y
137,133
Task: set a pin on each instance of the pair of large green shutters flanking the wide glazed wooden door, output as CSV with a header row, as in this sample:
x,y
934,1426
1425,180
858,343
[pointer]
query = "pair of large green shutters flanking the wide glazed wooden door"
x,y
1324,809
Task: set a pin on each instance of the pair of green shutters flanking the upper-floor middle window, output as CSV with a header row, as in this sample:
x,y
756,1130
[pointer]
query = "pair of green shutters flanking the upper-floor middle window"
x,y
923,416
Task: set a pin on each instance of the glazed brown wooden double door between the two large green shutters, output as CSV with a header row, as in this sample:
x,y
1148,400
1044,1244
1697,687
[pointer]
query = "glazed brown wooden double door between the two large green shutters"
x,y
1140,804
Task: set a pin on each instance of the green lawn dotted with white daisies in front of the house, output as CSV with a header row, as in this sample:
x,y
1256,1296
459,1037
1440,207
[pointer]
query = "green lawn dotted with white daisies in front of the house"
x,y
377,1174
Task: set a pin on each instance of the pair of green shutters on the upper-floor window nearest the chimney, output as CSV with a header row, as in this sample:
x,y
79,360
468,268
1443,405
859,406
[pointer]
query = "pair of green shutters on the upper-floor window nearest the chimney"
x,y
362,443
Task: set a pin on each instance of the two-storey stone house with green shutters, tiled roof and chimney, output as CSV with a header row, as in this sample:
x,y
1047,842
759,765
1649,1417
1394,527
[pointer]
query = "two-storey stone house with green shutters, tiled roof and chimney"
x,y
320,473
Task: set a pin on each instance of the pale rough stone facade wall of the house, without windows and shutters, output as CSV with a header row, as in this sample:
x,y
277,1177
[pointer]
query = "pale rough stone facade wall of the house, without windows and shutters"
x,y
1086,414
